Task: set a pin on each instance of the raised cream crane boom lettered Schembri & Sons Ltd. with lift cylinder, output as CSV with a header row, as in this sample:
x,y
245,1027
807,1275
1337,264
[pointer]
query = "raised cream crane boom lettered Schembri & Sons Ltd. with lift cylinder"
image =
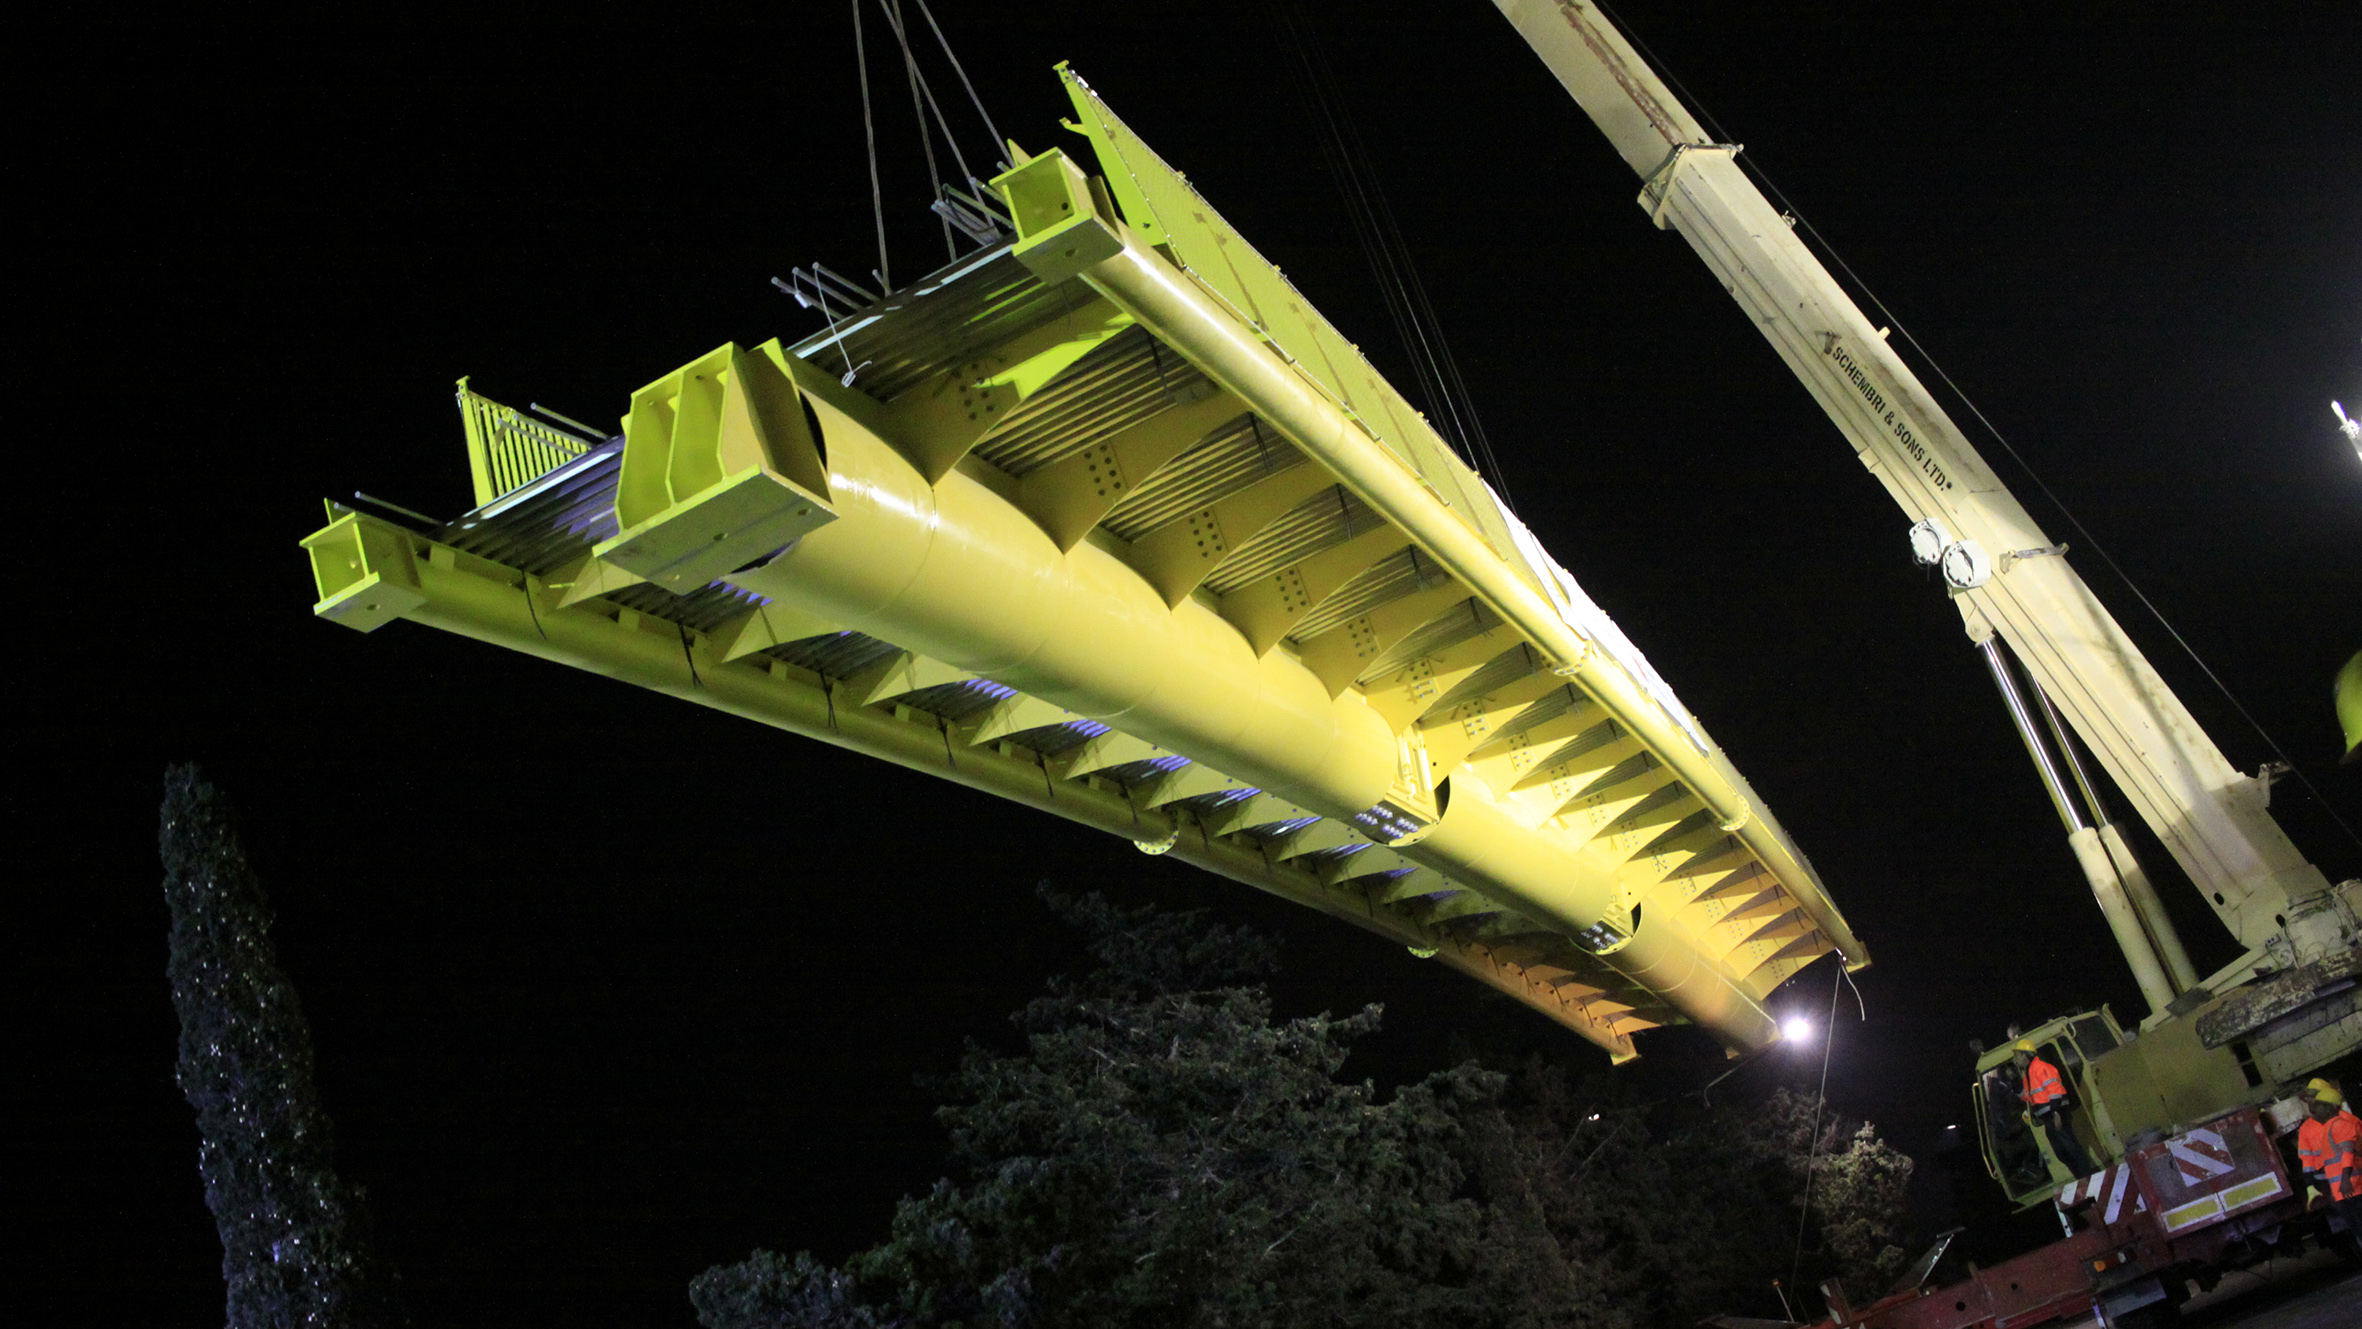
x,y
2007,577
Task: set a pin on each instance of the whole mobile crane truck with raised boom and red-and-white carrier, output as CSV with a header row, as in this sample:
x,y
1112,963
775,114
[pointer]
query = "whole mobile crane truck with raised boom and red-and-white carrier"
x,y
2191,1115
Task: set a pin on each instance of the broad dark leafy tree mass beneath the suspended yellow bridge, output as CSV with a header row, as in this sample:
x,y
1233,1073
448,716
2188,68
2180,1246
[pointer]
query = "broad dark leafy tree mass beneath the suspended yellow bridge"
x,y
1170,1155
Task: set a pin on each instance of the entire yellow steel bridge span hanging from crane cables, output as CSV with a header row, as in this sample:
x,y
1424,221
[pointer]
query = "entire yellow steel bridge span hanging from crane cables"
x,y
1095,532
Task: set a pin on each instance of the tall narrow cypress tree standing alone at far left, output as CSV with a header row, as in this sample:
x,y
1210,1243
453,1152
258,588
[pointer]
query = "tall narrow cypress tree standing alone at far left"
x,y
294,1238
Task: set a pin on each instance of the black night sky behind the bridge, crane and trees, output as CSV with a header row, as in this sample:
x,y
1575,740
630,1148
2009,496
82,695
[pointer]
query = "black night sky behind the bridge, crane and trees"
x,y
608,988
